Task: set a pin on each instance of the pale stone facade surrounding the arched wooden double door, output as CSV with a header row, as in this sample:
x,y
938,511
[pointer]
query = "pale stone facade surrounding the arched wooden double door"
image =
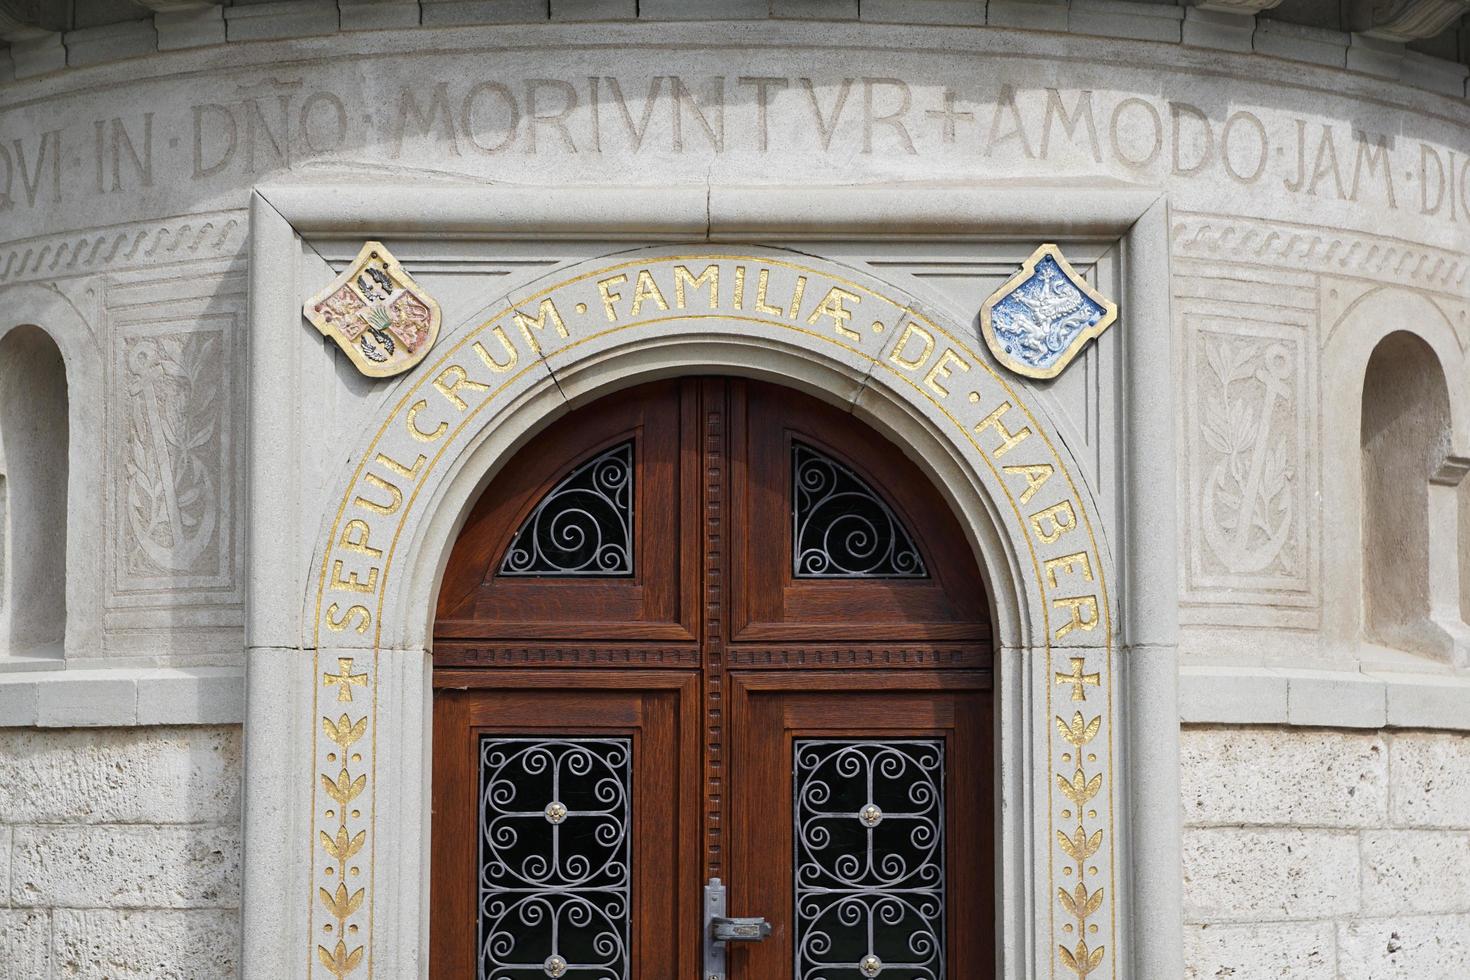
x,y
1278,206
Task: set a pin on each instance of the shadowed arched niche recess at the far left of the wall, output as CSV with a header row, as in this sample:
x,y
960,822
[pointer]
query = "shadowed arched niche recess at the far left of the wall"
x,y
35,436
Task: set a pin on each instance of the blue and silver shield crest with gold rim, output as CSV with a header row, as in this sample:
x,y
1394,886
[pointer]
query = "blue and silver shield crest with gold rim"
x,y
1044,315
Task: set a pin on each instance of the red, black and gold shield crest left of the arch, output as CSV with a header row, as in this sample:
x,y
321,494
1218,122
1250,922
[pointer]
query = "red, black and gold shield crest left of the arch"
x,y
379,315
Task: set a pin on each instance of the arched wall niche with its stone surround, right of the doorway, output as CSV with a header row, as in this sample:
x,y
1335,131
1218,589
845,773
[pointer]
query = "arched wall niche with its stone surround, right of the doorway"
x,y
1396,437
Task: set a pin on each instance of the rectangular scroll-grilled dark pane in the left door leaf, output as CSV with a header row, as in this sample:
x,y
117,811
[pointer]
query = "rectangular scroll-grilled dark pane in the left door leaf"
x,y
555,859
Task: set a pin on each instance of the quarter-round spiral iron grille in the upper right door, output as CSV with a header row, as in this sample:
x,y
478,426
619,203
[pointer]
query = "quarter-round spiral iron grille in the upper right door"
x,y
842,528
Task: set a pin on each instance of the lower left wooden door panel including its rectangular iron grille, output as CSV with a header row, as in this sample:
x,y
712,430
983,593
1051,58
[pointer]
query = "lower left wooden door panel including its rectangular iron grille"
x,y
565,804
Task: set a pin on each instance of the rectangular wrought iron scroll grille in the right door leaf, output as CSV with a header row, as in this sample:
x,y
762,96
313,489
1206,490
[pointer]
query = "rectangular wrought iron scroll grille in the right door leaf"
x,y
870,856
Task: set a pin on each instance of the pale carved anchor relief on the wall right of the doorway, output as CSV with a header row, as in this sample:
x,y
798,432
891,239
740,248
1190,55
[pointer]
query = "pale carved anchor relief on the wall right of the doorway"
x,y
1247,497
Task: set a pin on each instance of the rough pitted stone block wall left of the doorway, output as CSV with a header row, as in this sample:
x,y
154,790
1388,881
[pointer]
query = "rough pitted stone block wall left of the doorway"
x,y
120,854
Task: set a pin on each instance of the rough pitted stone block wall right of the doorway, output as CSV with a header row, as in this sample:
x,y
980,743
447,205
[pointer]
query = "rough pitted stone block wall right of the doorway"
x,y
1321,854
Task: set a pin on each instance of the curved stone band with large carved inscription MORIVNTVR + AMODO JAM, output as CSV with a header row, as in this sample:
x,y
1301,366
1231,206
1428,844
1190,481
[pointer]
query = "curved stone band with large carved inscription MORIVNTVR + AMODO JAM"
x,y
477,118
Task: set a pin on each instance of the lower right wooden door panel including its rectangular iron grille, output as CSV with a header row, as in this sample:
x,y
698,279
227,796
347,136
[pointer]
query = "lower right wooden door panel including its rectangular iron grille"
x,y
862,825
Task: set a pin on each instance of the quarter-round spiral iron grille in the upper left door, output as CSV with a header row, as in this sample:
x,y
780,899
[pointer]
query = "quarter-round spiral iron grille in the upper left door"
x,y
584,527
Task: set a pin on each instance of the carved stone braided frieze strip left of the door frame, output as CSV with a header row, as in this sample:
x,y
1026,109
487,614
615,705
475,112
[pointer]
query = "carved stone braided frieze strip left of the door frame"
x,y
124,248
